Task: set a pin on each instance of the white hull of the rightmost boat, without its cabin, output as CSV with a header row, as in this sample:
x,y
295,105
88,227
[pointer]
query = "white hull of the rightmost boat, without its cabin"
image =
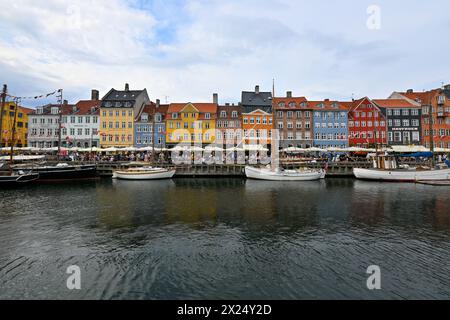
x,y
402,175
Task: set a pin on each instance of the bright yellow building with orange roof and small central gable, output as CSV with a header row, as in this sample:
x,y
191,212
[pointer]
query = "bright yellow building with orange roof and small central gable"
x,y
191,123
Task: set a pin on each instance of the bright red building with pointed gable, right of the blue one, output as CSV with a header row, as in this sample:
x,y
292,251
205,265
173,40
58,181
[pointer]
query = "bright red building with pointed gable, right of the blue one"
x,y
366,124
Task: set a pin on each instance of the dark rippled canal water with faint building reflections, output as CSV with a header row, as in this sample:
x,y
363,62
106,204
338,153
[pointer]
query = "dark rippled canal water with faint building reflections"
x,y
225,239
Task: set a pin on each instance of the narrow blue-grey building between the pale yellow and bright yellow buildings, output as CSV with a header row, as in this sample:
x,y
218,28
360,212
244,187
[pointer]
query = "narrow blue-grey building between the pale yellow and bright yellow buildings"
x,y
150,126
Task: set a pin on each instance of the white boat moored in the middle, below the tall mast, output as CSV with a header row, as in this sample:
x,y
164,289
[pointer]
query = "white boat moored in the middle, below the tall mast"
x,y
283,175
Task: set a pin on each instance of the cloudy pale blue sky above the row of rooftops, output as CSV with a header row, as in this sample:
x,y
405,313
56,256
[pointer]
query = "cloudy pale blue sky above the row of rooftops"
x,y
184,50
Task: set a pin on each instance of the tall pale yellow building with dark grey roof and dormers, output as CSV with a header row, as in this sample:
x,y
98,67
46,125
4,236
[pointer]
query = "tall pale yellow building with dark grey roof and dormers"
x,y
117,113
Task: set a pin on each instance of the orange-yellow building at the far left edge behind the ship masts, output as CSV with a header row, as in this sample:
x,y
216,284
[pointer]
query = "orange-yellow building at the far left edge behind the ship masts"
x,y
21,131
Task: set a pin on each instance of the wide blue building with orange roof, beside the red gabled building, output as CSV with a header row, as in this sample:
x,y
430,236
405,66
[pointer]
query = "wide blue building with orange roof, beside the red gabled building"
x,y
330,123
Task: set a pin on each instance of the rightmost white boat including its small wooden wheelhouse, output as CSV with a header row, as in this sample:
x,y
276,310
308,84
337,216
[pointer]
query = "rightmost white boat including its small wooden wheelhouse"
x,y
386,169
